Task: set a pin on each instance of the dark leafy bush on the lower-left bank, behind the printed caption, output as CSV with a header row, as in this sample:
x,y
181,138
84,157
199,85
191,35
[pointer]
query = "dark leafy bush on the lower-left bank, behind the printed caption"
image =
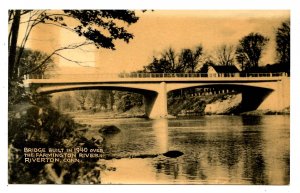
x,y
41,126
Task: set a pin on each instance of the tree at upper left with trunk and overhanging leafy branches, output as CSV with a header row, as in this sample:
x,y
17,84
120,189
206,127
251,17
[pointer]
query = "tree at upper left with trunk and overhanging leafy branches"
x,y
98,27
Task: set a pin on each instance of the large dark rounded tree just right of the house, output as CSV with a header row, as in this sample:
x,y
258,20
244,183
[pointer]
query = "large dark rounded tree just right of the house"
x,y
249,50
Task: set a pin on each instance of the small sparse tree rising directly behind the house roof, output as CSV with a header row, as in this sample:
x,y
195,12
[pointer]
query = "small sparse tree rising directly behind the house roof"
x,y
225,55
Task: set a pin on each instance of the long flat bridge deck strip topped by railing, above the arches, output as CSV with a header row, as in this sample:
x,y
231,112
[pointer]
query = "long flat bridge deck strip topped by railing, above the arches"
x,y
155,77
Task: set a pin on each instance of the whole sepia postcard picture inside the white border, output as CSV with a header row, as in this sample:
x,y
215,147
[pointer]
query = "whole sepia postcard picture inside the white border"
x,y
149,97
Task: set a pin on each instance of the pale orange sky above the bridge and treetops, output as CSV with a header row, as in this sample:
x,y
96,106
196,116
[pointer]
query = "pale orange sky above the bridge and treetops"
x,y
159,30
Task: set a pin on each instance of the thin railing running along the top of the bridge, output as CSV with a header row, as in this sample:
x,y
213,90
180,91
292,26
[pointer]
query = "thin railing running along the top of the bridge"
x,y
154,75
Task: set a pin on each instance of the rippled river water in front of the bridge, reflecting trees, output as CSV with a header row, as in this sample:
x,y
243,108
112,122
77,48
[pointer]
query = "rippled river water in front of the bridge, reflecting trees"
x,y
217,150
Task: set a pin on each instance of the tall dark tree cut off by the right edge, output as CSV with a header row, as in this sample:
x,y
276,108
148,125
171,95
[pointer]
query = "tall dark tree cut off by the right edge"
x,y
283,44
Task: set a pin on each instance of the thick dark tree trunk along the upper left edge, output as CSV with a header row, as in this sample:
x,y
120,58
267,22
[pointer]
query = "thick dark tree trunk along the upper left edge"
x,y
13,45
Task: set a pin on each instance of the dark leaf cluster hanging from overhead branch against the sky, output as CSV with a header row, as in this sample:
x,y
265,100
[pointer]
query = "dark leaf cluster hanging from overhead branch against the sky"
x,y
92,20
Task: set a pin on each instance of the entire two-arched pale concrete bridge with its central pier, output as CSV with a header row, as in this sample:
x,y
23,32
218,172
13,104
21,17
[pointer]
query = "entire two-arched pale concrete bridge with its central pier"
x,y
259,90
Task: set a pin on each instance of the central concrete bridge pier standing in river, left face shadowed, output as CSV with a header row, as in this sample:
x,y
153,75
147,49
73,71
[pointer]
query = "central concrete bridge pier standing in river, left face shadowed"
x,y
156,103
